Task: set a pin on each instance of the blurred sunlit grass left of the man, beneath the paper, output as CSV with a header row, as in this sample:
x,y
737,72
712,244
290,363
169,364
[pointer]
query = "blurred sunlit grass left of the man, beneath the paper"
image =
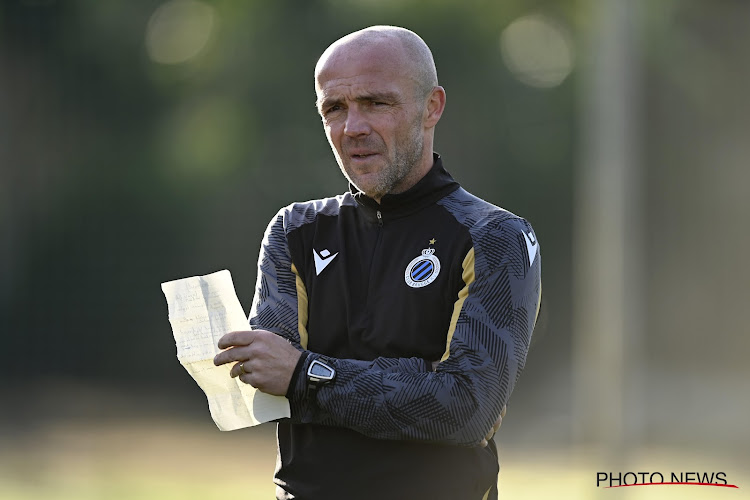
x,y
138,460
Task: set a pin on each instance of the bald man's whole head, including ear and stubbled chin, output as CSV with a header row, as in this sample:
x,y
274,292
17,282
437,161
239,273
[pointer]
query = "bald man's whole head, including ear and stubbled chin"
x,y
379,99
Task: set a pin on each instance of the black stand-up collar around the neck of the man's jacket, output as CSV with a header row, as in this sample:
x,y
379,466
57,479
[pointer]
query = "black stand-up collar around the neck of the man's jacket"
x,y
436,184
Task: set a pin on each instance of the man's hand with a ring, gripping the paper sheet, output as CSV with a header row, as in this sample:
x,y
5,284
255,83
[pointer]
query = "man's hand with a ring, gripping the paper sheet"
x,y
267,359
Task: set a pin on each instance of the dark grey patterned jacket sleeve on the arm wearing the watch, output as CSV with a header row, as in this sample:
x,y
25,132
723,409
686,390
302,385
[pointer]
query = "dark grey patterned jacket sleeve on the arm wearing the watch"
x,y
458,402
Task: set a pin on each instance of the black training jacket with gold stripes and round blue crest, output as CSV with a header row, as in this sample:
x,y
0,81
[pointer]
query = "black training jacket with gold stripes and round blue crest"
x,y
381,291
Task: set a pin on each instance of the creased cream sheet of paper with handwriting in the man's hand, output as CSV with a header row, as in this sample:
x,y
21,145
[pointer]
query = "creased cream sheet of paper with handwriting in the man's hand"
x,y
201,310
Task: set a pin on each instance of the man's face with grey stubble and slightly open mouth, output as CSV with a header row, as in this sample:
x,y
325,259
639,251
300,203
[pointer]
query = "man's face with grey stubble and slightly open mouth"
x,y
373,119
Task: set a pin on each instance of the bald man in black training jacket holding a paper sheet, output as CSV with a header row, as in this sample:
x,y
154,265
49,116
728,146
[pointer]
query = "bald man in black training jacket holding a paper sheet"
x,y
396,317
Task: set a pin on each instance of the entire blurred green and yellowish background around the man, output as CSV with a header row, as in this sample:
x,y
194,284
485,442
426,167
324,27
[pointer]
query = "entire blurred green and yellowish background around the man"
x,y
147,141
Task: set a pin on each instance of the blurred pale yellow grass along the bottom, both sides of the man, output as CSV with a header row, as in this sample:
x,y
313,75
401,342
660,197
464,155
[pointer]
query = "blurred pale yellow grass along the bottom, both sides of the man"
x,y
160,459
